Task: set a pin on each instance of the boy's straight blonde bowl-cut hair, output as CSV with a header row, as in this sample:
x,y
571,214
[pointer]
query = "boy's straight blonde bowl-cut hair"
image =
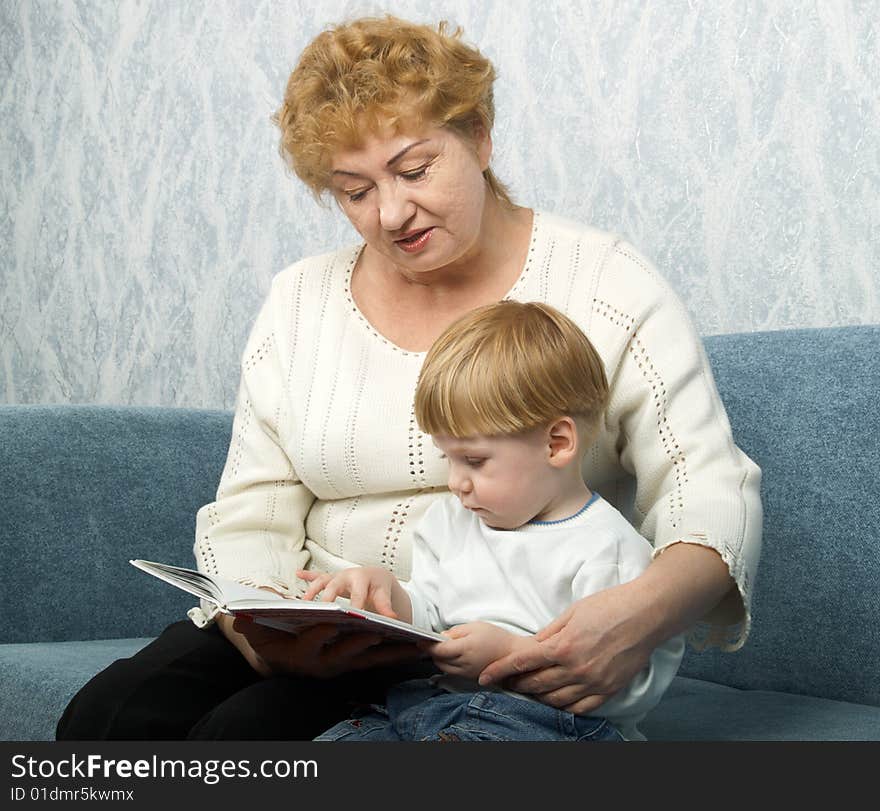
x,y
509,367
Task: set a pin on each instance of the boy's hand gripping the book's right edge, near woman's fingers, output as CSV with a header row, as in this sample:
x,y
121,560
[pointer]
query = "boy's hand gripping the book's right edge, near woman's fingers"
x,y
472,646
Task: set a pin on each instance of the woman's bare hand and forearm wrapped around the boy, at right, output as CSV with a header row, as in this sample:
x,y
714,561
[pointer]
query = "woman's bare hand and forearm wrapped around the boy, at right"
x,y
602,641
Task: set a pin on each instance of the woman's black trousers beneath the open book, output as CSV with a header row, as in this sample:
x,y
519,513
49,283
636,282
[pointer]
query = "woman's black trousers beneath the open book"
x,y
191,683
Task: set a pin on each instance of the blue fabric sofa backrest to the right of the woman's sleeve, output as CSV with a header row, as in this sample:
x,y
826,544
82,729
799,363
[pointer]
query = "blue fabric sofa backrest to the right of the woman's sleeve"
x,y
803,405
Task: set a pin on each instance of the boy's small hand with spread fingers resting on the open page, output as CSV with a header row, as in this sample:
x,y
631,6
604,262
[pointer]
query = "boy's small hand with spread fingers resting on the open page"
x,y
369,587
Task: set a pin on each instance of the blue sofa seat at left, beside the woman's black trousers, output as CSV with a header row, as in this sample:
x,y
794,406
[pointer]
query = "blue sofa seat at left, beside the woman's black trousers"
x,y
38,680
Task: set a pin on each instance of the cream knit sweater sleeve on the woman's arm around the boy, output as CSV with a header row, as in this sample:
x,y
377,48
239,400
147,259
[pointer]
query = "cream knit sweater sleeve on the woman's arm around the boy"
x,y
693,484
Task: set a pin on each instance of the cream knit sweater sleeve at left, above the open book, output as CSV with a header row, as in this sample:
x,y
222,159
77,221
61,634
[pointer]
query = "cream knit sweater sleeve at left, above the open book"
x,y
254,531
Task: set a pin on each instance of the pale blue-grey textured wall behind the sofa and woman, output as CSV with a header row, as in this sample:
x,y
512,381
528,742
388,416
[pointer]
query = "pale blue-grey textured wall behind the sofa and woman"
x,y
145,209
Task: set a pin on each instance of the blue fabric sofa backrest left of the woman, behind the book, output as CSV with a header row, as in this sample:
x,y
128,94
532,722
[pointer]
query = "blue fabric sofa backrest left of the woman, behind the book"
x,y
86,488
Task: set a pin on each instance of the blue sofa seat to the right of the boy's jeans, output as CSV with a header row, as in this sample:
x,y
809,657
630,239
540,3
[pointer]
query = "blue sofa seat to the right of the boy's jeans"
x,y
695,710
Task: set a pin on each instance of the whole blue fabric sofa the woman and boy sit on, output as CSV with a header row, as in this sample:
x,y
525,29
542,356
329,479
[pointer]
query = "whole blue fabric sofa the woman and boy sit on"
x,y
85,488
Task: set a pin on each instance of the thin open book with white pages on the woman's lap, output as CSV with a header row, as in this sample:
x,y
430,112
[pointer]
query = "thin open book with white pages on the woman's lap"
x,y
287,614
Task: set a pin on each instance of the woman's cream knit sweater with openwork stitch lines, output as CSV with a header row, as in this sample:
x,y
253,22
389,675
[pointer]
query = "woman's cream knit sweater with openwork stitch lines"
x,y
327,467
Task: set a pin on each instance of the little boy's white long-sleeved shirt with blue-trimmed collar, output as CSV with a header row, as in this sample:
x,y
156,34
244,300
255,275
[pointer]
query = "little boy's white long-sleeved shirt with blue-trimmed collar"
x,y
523,579
